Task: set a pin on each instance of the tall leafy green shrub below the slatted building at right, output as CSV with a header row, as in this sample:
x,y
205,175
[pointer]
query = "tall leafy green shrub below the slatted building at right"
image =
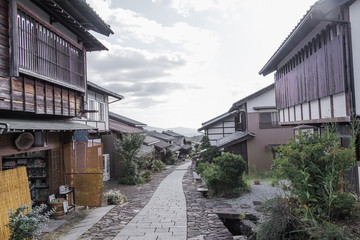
x,y
316,166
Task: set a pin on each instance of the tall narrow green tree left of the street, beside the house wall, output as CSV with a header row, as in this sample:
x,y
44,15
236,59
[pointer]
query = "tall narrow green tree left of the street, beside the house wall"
x,y
127,148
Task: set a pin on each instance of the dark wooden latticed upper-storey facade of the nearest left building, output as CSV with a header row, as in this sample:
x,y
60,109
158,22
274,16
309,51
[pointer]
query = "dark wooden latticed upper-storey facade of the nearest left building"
x,y
51,79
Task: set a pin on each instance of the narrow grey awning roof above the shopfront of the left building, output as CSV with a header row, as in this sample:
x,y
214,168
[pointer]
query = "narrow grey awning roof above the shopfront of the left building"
x,y
15,125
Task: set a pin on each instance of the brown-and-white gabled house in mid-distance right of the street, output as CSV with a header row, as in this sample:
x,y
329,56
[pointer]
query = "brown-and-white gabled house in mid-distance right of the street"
x,y
250,128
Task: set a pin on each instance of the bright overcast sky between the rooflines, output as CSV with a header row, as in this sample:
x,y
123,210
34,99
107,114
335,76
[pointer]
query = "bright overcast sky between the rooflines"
x,y
183,62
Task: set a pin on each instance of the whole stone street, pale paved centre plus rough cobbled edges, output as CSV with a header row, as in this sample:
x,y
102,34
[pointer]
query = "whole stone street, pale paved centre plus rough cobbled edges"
x,y
168,207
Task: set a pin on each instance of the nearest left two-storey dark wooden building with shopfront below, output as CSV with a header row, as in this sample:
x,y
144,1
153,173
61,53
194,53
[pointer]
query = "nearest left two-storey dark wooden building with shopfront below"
x,y
43,46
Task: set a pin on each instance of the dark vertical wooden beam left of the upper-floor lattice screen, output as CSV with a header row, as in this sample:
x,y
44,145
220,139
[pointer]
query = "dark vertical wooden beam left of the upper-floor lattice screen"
x,y
14,66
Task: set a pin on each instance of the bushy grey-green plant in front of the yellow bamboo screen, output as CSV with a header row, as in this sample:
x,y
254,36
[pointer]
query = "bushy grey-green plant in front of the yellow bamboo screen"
x,y
25,222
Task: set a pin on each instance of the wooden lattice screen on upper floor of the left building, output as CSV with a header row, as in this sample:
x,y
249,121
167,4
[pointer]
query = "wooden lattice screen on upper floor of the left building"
x,y
46,52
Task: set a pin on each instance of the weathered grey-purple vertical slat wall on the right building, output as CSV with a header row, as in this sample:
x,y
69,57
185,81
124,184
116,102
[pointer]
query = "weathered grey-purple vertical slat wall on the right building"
x,y
316,71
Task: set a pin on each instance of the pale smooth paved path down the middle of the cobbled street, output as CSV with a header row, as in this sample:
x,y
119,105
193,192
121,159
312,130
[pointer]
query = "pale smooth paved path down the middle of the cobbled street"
x,y
164,217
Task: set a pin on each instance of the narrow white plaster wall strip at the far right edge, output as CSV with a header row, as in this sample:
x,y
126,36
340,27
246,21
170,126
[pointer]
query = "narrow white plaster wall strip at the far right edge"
x,y
355,38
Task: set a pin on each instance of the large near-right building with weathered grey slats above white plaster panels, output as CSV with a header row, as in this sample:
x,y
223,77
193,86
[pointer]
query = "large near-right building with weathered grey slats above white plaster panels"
x,y
317,76
